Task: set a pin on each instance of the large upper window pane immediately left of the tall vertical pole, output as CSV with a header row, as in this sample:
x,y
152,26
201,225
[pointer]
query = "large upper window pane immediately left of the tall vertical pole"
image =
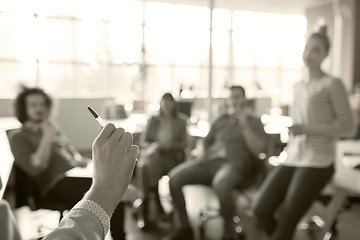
x,y
169,37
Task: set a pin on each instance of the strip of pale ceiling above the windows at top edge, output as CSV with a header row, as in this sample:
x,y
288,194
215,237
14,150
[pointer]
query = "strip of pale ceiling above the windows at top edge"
x,y
280,6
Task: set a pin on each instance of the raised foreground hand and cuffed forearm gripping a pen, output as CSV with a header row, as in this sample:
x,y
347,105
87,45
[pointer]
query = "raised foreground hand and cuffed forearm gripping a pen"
x,y
114,158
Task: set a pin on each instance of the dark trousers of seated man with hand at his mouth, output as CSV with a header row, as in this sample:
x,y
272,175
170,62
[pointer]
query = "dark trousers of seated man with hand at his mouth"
x,y
218,173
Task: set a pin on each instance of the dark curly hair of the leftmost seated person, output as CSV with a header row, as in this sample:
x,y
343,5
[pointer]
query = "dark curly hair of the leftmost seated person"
x,y
20,102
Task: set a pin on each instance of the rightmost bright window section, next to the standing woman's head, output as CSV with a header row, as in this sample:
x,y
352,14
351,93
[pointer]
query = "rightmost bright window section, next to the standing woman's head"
x,y
267,51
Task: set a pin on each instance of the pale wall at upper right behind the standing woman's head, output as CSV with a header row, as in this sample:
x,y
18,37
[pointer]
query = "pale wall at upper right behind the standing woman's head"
x,y
350,37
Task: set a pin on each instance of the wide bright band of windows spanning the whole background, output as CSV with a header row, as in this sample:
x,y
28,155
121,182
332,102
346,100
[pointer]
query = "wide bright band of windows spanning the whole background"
x,y
133,49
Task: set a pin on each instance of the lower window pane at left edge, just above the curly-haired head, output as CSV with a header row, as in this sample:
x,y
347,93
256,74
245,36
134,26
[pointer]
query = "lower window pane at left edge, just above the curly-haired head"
x,y
14,74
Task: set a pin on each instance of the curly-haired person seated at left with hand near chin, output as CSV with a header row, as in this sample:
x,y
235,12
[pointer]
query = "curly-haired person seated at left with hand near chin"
x,y
44,153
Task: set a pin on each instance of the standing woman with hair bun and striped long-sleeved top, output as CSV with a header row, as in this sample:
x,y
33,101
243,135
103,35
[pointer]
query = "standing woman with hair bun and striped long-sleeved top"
x,y
321,114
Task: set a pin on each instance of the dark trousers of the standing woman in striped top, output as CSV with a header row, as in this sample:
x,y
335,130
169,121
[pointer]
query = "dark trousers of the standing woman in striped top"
x,y
292,190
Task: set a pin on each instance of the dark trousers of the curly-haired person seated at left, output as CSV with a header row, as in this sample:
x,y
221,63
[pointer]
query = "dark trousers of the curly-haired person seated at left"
x,y
71,190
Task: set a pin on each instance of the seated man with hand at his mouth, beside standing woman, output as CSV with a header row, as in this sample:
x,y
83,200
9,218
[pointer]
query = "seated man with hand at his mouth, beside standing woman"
x,y
231,150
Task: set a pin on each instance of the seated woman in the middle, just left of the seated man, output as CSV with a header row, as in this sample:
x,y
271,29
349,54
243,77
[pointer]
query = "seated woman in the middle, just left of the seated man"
x,y
165,139
